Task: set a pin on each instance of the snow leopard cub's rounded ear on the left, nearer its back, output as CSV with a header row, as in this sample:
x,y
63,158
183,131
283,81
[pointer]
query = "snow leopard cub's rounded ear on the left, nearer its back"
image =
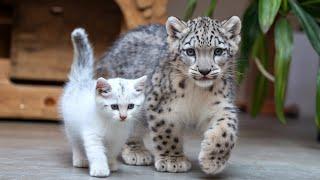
x,y
175,28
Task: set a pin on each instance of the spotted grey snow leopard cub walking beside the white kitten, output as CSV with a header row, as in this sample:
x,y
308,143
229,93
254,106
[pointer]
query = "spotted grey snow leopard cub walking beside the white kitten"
x,y
190,68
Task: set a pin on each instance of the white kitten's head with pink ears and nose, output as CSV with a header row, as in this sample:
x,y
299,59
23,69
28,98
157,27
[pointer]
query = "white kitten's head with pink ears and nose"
x,y
120,99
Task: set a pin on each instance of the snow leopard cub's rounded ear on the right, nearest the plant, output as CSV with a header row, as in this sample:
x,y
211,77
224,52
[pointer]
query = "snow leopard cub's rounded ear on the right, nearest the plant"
x,y
232,28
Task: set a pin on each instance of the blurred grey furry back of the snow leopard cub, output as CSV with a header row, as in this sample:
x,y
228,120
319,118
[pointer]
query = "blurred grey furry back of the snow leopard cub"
x,y
129,57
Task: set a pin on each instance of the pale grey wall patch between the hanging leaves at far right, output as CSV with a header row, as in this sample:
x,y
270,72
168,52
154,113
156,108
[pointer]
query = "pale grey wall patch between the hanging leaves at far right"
x,y
302,80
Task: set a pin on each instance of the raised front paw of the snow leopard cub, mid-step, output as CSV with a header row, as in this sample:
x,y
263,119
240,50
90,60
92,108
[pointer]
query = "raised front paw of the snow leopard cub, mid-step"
x,y
214,155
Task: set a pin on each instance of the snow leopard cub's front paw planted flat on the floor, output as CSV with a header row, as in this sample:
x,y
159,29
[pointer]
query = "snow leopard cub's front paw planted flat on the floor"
x,y
172,164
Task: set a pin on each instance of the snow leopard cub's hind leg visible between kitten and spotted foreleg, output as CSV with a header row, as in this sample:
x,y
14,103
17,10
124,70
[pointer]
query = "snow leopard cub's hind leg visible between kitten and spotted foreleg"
x,y
134,151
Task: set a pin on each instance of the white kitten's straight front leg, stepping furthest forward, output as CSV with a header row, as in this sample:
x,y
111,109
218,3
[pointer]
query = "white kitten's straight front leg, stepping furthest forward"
x,y
95,150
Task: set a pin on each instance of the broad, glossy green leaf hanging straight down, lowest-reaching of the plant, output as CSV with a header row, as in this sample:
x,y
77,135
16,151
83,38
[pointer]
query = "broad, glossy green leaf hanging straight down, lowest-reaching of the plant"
x,y
283,46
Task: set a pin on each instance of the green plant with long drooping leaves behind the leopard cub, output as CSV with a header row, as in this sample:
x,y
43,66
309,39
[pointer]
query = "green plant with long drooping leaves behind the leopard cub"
x,y
268,19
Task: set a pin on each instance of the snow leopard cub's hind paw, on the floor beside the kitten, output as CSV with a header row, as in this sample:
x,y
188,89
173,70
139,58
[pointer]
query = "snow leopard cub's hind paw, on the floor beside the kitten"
x,y
136,156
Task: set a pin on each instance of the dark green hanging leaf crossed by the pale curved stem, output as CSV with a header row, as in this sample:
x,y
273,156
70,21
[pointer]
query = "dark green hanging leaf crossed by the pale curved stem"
x,y
259,51
